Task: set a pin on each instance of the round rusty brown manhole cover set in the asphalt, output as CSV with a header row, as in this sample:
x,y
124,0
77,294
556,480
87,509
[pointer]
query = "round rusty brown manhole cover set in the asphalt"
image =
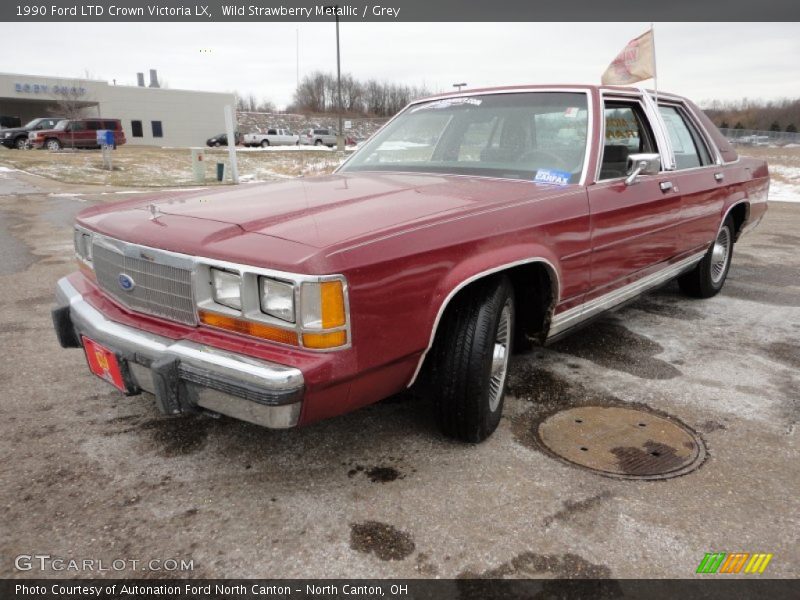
x,y
622,442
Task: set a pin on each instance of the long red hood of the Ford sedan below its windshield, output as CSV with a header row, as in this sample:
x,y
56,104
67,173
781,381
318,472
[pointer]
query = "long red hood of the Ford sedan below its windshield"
x,y
343,208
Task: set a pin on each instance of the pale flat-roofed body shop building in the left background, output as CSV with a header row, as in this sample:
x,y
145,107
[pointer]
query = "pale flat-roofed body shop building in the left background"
x,y
150,115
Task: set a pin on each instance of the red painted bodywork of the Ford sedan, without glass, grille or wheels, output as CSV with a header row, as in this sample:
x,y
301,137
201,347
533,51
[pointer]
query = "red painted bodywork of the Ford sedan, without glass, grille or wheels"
x,y
406,241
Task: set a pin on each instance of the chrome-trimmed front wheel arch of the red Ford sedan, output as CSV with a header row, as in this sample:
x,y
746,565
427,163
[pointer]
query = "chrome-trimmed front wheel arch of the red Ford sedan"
x,y
524,273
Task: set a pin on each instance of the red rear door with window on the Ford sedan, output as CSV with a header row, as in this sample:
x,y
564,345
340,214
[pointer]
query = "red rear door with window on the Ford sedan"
x,y
698,178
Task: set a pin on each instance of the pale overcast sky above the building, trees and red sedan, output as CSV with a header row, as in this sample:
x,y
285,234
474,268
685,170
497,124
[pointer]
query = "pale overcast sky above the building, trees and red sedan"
x,y
701,60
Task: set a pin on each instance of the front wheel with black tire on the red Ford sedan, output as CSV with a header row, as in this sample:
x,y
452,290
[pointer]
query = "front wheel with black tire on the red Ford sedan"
x,y
468,397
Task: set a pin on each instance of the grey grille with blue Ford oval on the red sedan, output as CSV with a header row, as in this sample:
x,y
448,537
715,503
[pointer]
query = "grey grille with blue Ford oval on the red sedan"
x,y
159,289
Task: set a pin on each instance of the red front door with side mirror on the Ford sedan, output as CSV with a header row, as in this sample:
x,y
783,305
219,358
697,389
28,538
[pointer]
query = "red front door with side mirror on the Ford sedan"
x,y
634,227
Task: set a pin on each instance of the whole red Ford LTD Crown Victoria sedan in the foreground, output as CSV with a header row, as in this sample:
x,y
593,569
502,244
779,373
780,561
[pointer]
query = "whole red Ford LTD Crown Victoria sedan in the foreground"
x,y
471,225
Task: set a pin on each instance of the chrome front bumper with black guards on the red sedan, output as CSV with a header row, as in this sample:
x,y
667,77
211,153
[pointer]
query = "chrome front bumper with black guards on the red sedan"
x,y
184,375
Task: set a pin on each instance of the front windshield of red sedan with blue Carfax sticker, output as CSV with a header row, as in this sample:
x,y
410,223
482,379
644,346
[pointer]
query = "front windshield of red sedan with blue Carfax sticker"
x,y
530,135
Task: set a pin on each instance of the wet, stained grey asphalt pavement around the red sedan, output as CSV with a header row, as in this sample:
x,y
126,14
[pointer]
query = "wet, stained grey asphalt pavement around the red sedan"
x,y
89,474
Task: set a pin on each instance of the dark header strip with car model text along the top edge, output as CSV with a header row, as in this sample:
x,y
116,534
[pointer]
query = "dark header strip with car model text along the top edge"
x,y
398,10
